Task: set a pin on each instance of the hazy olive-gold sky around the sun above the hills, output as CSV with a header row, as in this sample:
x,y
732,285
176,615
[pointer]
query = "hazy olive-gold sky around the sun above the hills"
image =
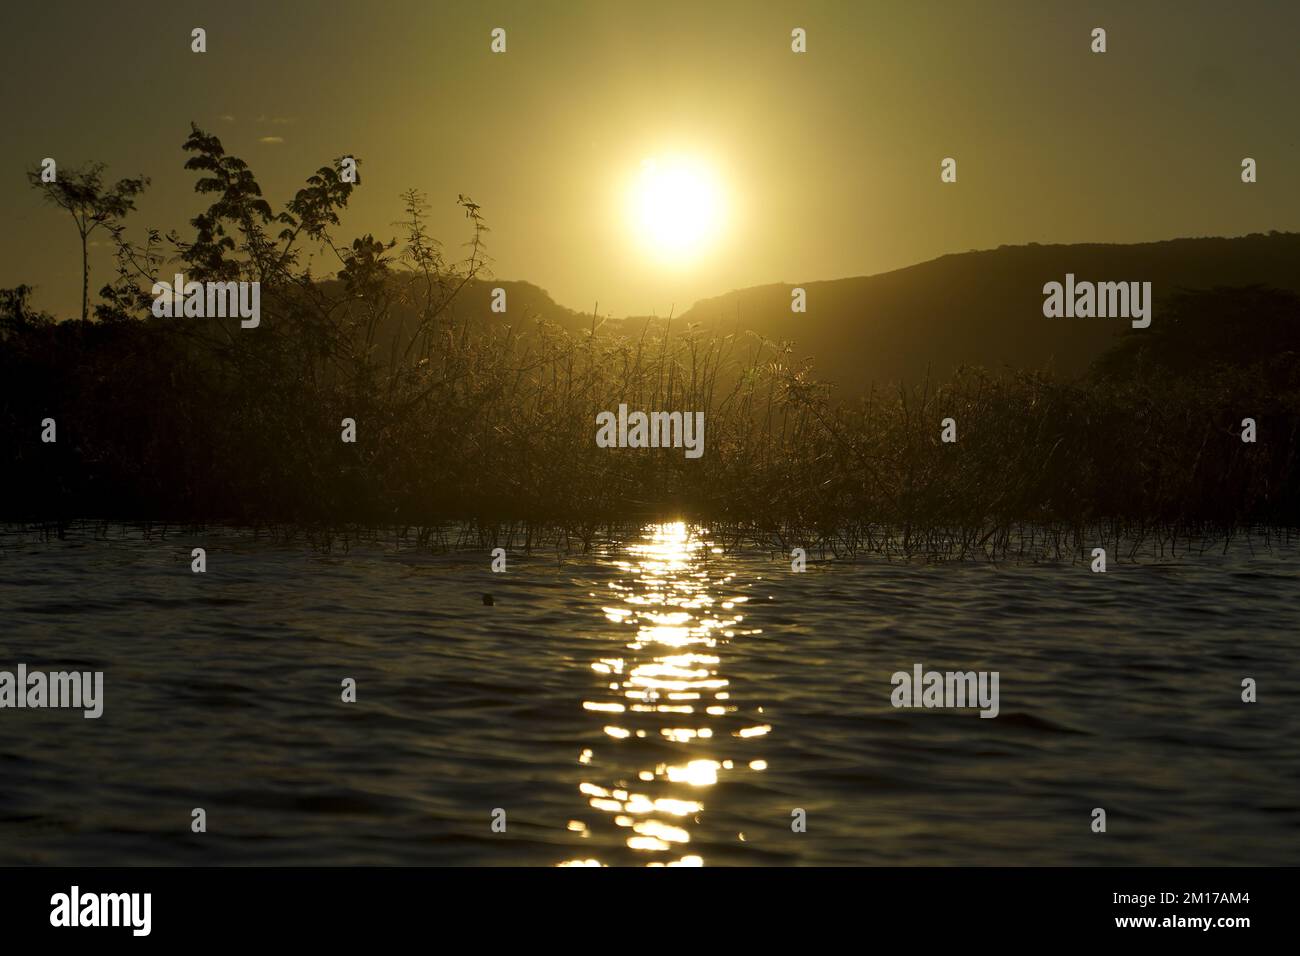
x,y
830,159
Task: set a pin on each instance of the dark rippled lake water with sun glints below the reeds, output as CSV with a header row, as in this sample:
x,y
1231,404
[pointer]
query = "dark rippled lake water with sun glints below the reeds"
x,y
656,703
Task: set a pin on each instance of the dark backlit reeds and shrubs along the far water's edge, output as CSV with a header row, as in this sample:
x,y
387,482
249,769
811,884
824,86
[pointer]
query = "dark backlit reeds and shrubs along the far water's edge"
x,y
489,429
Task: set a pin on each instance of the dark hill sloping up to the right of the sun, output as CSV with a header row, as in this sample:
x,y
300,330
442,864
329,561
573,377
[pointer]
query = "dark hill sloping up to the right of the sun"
x,y
986,308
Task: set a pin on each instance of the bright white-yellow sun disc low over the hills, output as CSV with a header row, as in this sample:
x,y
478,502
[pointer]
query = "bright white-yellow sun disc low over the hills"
x,y
677,209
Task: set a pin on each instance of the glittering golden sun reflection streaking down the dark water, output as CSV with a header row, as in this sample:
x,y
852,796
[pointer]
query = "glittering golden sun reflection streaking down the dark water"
x,y
670,726
